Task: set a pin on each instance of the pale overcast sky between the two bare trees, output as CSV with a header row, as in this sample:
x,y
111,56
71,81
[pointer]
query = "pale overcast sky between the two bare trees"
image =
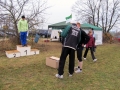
x,y
59,10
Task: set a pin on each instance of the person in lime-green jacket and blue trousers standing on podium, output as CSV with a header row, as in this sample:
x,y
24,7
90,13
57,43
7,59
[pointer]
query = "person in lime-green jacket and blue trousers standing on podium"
x,y
22,29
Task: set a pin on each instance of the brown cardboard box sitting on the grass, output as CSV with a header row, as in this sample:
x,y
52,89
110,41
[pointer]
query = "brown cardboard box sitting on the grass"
x,y
52,61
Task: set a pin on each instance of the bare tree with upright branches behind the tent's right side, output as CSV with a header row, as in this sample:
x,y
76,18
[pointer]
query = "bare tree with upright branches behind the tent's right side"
x,y
103,13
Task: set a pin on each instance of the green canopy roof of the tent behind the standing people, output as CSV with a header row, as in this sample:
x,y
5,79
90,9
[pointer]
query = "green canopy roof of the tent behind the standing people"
x,y
62,25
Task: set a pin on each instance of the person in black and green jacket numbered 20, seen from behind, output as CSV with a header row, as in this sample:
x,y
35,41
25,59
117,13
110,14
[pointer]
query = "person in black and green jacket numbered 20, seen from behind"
x,y
71,36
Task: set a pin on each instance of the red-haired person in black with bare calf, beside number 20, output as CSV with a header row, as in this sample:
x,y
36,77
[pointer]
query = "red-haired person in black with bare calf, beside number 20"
x,y
84,40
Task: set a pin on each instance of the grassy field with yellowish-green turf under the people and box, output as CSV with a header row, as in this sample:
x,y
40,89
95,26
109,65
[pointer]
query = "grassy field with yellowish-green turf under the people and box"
x,y
31,73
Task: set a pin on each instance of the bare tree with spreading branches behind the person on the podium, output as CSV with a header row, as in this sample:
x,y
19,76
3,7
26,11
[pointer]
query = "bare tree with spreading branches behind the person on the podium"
x,y
33,10
